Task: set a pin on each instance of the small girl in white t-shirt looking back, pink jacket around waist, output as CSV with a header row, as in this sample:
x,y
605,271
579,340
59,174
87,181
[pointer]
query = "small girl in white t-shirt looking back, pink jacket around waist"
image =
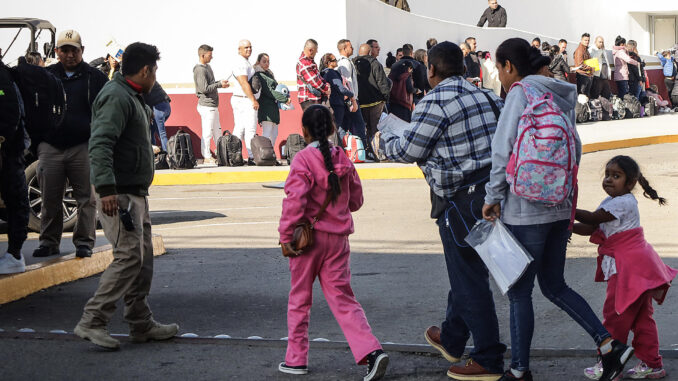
x,y
634,272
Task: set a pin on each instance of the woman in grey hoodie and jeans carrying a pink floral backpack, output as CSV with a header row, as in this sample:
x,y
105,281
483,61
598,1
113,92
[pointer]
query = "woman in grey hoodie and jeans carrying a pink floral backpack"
x,y
543,229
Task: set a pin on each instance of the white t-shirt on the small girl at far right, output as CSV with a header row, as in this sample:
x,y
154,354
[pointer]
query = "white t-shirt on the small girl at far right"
x,y
625,209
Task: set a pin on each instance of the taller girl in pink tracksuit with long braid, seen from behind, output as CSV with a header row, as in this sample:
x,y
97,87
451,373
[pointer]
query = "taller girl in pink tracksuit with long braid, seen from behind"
x,y
317,171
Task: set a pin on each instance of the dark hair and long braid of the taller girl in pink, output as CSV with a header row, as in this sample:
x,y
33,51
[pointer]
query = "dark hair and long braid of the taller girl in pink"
x,y
319,123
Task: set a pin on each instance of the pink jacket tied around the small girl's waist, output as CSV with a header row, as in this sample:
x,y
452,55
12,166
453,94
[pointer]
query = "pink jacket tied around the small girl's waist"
x,y
639,268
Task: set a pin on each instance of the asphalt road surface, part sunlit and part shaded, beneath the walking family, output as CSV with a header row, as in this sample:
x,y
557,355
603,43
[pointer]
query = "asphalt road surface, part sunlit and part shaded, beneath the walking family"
x,y
224,275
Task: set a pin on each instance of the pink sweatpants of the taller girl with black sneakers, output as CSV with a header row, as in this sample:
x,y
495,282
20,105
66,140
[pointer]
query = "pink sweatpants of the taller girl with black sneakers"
x,y
328,260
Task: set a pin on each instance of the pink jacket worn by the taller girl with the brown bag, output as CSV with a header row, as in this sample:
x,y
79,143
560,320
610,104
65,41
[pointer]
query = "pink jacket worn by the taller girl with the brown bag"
x,y
306,189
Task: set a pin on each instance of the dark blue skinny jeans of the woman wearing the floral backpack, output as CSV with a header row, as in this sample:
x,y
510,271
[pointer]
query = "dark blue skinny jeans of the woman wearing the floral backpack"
x,y
547,243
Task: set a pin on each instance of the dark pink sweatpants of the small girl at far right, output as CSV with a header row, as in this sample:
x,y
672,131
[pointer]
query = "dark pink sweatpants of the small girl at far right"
x,y
637,318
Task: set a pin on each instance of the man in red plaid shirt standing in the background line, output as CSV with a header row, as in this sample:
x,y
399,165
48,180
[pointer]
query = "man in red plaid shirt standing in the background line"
x,y
310,84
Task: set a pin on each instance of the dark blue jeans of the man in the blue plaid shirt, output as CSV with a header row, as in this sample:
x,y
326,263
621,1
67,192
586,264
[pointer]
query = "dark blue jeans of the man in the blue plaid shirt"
x,y
470,305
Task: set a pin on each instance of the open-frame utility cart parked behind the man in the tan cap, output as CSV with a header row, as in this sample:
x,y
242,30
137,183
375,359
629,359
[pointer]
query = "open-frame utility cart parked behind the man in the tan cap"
x,y
30,32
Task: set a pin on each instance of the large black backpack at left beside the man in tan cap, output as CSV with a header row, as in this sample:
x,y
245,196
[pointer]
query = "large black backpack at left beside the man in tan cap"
x,y
44,98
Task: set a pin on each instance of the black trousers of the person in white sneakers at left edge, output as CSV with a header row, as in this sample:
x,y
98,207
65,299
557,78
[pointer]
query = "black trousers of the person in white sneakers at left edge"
x,y
15,196
